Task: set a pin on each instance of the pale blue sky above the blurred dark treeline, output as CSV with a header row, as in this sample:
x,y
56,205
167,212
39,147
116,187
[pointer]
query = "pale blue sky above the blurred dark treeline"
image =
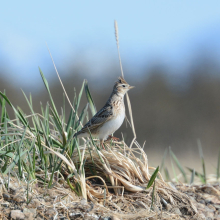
x,y
171,31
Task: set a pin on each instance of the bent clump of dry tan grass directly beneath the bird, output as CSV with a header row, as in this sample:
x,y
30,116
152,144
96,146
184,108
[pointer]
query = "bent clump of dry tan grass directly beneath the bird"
x,y
132,173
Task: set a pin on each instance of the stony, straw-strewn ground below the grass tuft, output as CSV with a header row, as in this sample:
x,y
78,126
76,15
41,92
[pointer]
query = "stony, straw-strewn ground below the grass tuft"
x,y
62,203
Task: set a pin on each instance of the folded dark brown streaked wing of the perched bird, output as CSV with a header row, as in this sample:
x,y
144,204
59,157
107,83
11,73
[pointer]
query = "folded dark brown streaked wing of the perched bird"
x,y
98,119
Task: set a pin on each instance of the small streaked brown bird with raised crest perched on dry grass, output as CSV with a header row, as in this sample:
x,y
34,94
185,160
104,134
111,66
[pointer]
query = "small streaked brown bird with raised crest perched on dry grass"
x,y
109,118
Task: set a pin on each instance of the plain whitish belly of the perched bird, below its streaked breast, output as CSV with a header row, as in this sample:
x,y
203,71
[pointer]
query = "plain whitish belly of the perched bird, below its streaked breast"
x,y
111,126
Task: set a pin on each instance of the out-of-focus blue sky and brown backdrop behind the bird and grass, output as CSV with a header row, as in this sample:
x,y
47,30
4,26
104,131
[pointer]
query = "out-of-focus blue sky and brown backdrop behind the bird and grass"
x,y
170,52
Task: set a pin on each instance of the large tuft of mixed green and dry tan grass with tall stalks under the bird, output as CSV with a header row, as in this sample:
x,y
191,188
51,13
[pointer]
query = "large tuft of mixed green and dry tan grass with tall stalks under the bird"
x,y
115,179
